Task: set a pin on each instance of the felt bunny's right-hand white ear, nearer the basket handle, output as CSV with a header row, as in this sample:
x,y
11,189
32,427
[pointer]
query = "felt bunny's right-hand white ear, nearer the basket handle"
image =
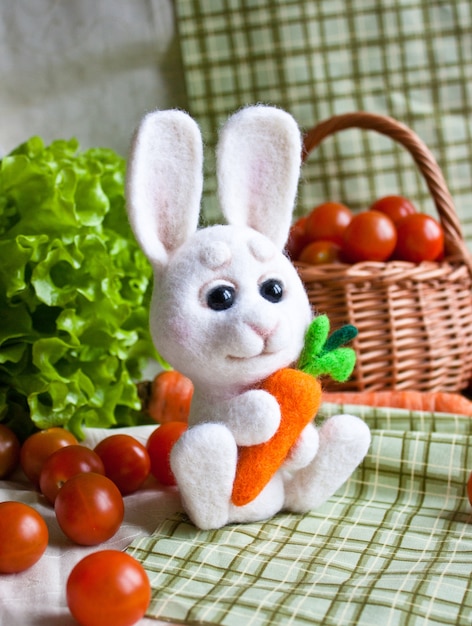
x,y
258,167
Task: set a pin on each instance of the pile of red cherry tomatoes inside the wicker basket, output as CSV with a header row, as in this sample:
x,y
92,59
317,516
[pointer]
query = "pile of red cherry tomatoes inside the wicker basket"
x,y
392,228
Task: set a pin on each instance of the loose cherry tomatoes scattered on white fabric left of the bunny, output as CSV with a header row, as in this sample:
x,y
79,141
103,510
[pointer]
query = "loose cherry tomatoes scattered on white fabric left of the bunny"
x,y
86,487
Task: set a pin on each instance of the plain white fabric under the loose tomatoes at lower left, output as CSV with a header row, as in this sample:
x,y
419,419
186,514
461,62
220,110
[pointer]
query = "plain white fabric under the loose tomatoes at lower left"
x,y
36,597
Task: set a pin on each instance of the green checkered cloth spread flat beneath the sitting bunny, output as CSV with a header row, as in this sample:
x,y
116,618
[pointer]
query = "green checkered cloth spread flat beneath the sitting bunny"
x,y
393,546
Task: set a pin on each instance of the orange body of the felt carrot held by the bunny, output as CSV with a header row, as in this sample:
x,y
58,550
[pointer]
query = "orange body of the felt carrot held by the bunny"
x,y
299,396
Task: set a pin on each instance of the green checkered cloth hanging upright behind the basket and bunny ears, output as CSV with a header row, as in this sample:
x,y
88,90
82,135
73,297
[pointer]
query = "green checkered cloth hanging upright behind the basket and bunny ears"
x,y
411,60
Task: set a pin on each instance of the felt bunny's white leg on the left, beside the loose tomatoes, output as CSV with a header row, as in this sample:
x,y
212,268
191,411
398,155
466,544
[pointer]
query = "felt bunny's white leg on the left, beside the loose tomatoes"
x,y
203,461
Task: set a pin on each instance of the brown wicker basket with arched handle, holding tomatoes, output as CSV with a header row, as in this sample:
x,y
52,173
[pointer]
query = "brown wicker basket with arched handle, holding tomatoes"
x,y
414,320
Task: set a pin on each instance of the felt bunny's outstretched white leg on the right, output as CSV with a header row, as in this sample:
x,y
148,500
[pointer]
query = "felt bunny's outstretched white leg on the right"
x,y
343,443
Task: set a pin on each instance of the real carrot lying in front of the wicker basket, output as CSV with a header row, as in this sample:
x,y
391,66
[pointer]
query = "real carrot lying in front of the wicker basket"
x,y
431,401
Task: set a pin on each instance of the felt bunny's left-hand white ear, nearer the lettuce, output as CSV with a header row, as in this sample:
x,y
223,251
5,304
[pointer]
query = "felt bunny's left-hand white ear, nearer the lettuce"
x,y
164,182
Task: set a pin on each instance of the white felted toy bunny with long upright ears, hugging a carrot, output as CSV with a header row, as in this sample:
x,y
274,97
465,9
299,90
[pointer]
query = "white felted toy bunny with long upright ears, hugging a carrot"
x,y
229,309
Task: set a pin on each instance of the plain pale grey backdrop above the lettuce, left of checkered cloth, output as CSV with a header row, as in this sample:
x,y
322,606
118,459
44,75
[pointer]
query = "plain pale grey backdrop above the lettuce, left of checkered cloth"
x,y
86,68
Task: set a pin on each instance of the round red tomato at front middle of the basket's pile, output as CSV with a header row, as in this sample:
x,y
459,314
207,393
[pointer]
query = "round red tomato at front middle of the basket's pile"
x,y
370,236
